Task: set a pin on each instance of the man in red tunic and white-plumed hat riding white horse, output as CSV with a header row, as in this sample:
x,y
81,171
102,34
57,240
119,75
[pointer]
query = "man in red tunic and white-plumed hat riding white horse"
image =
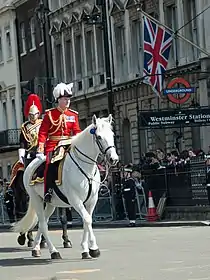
x,y
59,124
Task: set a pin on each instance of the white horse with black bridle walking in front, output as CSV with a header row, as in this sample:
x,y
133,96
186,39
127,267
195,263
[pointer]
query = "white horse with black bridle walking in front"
x,y
80,185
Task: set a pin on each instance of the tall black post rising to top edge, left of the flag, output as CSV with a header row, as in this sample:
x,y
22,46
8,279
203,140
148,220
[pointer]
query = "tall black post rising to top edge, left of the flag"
x,y
101,19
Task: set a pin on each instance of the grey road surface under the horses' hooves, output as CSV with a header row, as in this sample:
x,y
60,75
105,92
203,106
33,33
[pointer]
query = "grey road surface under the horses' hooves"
x,y
160,253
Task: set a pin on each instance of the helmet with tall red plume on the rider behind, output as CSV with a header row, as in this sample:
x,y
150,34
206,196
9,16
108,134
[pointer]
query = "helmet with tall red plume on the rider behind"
x,y
33,105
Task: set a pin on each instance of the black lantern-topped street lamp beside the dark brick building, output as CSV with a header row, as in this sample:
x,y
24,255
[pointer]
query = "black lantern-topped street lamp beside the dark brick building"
x,y
42,17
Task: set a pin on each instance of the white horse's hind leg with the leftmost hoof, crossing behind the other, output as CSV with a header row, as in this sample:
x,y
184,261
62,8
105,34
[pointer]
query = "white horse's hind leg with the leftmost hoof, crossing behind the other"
x,y
36,247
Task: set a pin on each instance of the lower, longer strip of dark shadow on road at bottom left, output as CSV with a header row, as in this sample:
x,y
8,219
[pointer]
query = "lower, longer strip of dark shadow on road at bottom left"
x,y
23,262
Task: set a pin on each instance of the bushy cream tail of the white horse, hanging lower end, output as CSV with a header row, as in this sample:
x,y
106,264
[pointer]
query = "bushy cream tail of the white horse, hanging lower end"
x,y
27,222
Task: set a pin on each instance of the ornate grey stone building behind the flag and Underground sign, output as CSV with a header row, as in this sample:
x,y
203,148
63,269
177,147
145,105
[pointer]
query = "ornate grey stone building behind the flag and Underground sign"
x,y
78,56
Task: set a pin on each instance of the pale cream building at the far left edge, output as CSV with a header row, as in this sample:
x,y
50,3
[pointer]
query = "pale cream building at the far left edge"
x,y
10,98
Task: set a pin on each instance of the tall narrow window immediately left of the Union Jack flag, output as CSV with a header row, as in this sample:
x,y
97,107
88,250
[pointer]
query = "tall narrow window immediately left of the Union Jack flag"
x,y
136,46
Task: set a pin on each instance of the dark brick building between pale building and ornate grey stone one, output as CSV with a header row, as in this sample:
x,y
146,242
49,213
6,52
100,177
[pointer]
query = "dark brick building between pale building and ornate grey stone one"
x,y
34,47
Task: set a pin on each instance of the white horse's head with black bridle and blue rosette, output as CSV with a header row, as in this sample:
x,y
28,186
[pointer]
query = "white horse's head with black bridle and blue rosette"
x,y
104,138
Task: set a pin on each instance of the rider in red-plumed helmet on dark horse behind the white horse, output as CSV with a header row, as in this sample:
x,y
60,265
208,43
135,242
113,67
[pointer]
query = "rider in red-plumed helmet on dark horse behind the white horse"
x,y
26,152
